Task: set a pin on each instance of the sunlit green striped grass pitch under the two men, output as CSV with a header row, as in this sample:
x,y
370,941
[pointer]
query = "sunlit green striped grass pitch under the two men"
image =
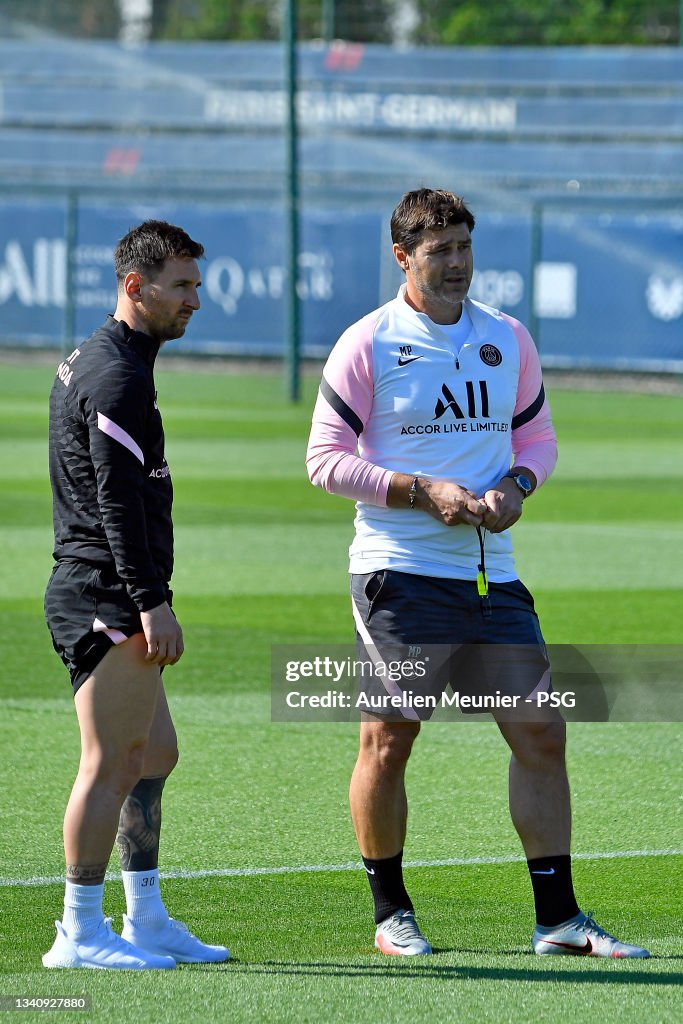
x,y
262,560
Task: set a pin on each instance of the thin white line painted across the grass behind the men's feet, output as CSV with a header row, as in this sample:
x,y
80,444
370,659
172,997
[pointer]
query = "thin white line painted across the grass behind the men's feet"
x,y
354,866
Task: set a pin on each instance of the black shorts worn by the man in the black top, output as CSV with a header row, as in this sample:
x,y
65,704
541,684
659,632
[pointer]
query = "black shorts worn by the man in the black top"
x,y
89,611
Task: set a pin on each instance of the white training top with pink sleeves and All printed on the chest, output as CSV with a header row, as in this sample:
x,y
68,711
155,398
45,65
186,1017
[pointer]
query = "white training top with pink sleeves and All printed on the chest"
x,y
401,394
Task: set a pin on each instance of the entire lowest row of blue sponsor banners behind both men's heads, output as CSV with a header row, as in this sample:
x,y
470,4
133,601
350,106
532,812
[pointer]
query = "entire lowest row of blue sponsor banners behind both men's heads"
x,y
606,291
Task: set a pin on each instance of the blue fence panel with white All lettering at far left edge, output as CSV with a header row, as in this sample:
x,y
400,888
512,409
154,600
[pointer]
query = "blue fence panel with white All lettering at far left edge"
x,y
33,266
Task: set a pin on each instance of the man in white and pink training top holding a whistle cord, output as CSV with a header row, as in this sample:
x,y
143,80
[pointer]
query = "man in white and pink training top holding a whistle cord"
x,y
433,417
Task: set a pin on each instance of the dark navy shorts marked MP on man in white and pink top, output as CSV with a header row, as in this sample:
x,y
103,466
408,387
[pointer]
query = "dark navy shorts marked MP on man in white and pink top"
x,y
426,635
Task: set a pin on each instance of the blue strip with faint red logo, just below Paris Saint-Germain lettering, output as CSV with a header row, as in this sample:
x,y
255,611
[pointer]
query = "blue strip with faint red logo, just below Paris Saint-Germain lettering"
x,y
73,157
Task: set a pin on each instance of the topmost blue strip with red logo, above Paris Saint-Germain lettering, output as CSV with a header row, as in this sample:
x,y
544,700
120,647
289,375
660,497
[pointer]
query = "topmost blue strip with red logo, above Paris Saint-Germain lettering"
x,y
567,66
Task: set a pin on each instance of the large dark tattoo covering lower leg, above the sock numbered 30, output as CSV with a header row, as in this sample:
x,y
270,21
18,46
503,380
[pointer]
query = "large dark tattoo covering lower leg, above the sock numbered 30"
x,y
140,826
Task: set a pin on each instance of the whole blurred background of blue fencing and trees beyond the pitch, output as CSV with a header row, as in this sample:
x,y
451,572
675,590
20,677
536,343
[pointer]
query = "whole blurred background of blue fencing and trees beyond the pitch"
x,y
562,124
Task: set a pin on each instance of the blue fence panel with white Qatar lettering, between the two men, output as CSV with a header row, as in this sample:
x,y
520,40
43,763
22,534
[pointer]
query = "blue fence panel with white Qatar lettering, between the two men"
x,y
244,275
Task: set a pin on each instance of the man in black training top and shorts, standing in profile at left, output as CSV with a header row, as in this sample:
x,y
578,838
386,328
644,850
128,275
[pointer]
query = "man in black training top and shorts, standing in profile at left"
x,y
109,606
